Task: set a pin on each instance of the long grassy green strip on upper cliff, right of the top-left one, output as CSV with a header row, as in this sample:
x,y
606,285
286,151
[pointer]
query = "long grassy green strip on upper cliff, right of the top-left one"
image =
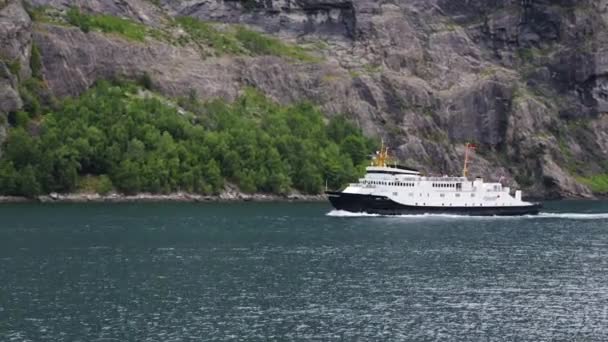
x,y
239,40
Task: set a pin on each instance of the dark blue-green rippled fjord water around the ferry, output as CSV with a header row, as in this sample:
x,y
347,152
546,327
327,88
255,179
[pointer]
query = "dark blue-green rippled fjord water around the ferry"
x,y
258,272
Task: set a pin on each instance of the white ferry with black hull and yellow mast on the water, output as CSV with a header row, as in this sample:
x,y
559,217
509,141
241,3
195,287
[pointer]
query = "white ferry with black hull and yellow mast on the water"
x,y
397,190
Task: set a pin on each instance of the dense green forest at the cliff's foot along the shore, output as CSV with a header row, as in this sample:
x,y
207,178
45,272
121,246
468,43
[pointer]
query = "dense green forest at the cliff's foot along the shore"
x,y
118,136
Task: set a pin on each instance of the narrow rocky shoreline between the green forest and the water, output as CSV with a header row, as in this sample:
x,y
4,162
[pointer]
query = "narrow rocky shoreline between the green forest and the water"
x,y
159,198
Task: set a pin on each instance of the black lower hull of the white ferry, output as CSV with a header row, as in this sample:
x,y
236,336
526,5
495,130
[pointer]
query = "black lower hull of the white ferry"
x,y
383,205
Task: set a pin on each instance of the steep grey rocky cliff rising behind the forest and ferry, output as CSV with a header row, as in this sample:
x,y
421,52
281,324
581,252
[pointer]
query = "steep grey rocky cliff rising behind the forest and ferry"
x,y
527,80
